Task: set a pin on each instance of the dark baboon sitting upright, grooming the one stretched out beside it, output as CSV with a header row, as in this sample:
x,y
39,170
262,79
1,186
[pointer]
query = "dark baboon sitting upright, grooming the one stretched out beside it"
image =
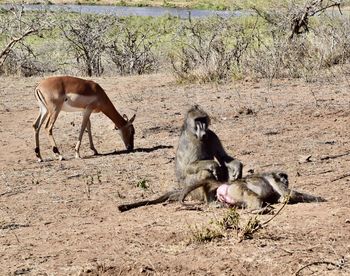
x,y
200,159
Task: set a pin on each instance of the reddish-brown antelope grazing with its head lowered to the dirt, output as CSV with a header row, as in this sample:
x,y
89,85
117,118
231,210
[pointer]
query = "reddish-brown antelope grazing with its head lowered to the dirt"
x,y
72,94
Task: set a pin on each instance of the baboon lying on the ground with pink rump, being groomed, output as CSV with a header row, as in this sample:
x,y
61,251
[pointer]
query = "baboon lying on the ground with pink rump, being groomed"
x,y
254,191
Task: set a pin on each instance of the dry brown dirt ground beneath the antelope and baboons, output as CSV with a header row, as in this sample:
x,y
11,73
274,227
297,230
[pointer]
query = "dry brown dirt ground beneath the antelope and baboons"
x,y
61,218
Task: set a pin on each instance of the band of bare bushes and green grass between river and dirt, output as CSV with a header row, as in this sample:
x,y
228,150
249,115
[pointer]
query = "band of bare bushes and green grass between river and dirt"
x,y
277,41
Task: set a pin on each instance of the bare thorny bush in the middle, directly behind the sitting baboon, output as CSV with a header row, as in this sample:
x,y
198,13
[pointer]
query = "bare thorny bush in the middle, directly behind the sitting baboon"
x,y
209,50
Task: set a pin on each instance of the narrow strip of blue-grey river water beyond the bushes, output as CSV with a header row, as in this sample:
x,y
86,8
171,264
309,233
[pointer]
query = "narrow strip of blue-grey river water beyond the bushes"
x,y
127,11
